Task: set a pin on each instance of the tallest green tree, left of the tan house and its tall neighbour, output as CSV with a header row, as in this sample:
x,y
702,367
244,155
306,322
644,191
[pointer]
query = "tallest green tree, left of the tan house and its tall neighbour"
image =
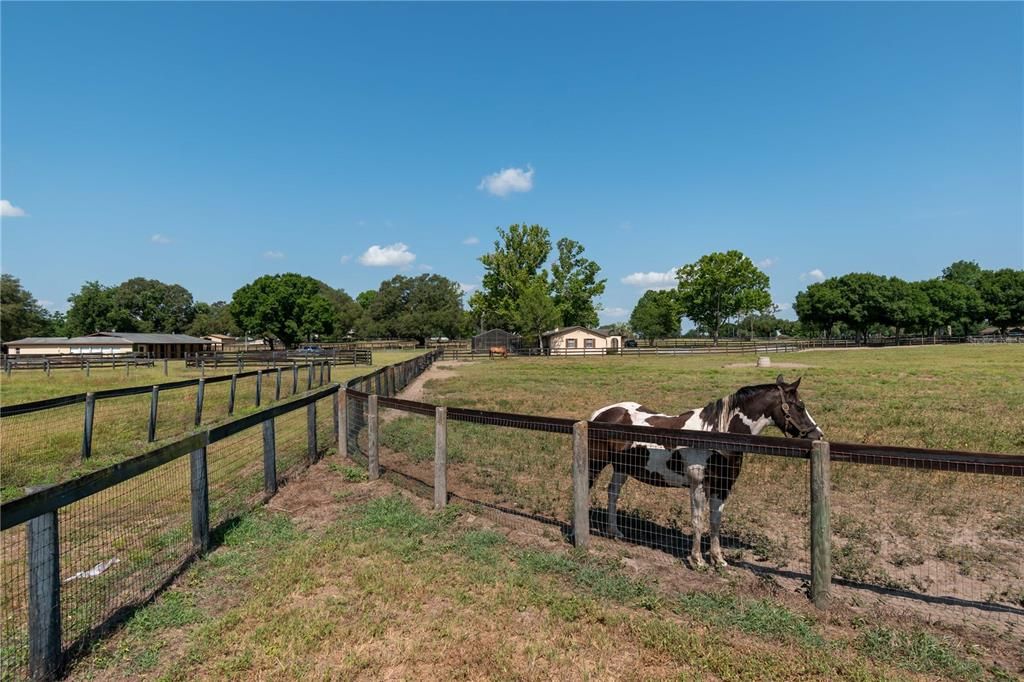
x,y
515,267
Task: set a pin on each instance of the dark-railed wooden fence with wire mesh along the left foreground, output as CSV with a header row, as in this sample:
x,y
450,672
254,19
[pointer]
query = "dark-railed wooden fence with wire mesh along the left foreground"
x,y
50,611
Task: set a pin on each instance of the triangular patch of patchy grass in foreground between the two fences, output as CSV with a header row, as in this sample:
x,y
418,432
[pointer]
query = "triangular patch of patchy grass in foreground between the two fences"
x,y
339,579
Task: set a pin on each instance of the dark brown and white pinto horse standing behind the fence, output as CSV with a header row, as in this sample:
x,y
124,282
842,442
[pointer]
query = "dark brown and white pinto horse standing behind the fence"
x,y
707,473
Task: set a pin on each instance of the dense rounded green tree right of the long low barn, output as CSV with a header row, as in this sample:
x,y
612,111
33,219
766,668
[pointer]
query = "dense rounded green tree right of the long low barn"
x,y
289,307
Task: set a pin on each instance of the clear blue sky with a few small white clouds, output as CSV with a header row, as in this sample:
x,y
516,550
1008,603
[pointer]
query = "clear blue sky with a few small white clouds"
x,y
207,145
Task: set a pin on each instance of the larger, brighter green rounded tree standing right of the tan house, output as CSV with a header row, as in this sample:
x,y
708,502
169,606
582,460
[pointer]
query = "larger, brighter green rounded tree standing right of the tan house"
x,y
721,286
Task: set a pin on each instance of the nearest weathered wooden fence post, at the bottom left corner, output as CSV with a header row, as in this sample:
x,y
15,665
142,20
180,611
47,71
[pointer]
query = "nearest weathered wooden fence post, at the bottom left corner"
x,y
45,594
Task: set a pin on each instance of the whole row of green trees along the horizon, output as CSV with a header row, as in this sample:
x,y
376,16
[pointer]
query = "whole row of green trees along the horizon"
x,y
531,286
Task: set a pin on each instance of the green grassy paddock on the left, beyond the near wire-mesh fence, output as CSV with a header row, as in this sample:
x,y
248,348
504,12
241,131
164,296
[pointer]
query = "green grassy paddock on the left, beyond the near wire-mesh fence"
x,y
46,448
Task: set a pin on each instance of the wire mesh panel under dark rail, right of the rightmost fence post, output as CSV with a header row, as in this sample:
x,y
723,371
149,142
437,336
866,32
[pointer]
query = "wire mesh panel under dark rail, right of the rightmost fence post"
x,y
938,543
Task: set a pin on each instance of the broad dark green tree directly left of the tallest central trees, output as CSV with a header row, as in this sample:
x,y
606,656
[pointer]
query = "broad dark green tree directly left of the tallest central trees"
x,y
416,308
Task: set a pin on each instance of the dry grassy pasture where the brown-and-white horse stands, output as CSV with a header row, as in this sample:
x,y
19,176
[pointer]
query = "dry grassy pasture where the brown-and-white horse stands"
x,y
937,535
